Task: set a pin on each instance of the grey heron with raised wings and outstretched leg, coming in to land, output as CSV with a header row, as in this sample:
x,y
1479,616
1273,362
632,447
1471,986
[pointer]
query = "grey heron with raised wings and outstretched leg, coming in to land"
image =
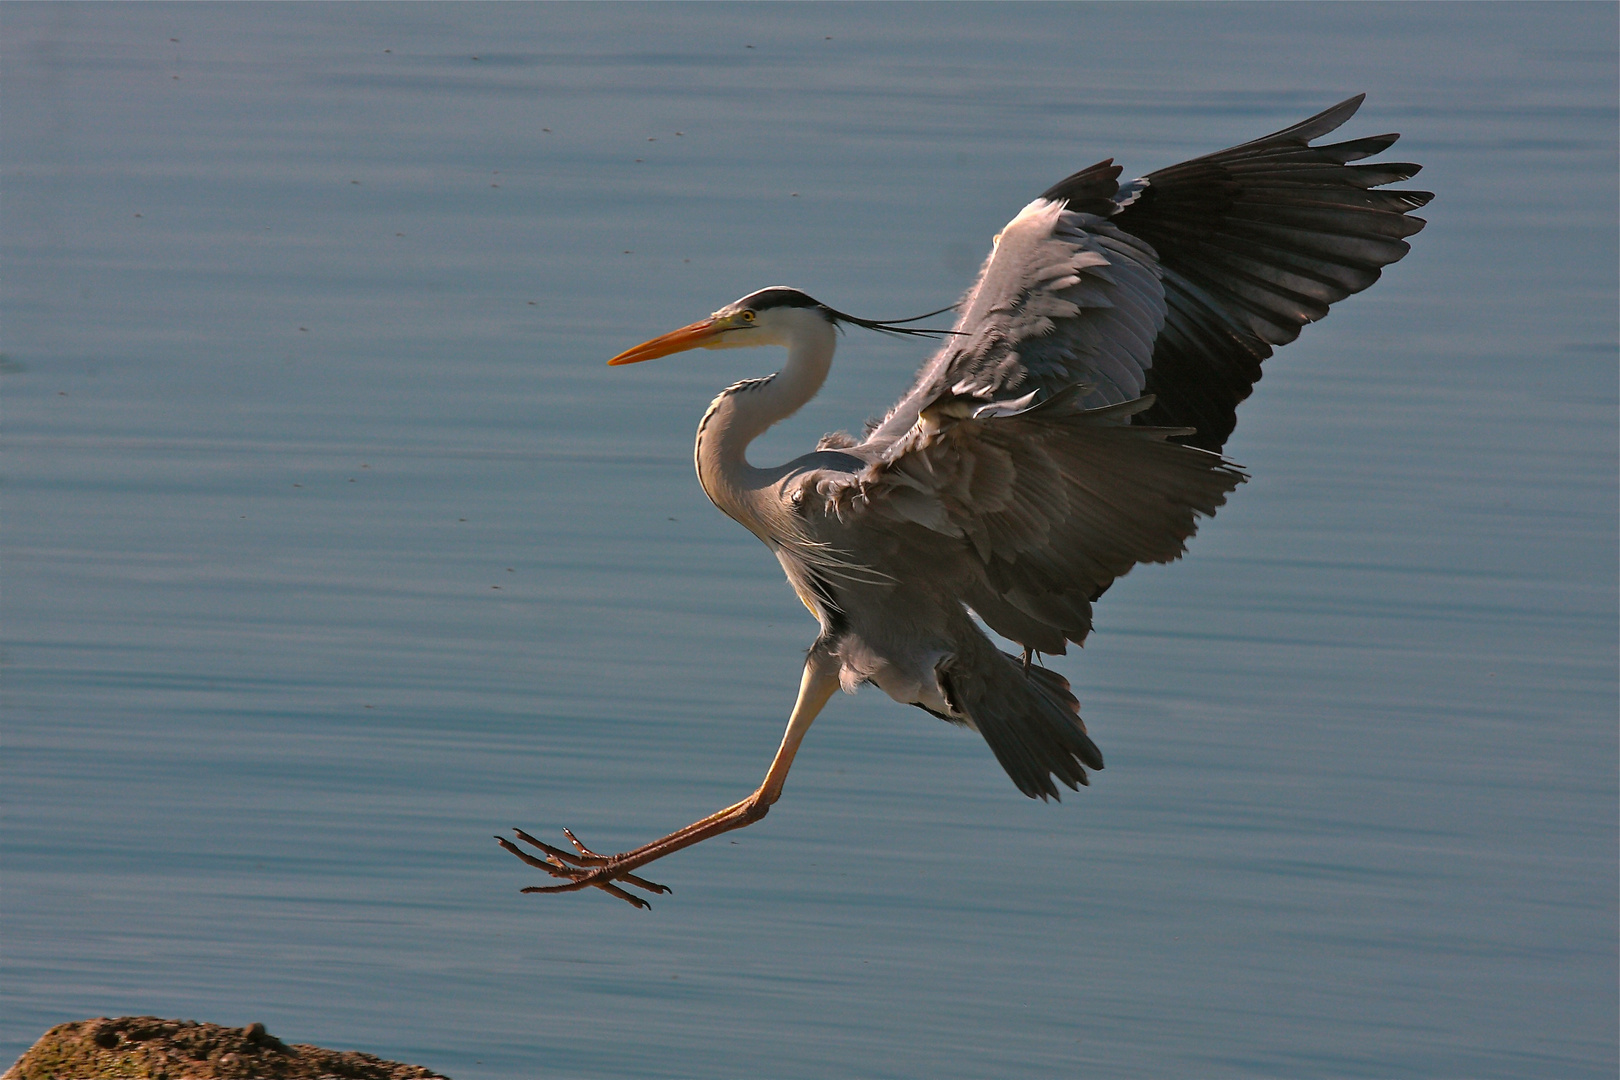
x,y
1068,428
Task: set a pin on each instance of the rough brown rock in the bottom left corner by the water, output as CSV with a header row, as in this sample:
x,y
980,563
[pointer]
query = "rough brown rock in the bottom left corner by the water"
x,y
150,1048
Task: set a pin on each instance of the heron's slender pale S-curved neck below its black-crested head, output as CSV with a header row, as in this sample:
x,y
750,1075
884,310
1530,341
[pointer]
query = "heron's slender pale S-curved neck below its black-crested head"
x,y
746,410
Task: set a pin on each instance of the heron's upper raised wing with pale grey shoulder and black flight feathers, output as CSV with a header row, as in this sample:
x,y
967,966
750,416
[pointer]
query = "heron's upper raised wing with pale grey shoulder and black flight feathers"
x,y
1179,284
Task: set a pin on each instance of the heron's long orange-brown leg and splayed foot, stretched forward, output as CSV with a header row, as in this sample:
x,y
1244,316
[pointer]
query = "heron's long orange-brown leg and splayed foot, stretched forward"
x,y
586,869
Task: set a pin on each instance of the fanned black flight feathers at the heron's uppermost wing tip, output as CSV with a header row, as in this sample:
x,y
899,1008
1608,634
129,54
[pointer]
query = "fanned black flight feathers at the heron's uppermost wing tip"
x,y
1255,242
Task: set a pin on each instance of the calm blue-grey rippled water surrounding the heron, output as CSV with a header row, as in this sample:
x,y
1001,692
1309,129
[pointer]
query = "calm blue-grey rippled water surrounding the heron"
x,y
331,548
